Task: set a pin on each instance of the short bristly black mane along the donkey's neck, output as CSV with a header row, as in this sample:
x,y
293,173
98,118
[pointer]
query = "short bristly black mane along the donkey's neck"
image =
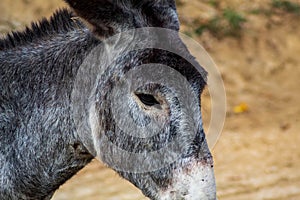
x,y
60,22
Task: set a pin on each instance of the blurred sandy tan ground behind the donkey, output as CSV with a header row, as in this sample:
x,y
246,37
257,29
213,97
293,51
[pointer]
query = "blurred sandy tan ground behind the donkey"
x,y
256,46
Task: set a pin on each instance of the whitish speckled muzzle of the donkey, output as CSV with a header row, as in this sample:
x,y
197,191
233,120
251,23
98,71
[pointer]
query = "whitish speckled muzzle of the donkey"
x,y
193,182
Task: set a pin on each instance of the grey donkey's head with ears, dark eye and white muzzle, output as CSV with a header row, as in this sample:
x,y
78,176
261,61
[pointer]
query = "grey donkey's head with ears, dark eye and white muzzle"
x,y
145,115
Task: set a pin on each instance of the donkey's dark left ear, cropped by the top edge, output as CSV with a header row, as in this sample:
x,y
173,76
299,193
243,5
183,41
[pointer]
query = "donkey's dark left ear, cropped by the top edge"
x,y
105,17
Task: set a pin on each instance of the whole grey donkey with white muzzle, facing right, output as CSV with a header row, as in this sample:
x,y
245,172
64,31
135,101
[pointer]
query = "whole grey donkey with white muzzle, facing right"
x,y
42,146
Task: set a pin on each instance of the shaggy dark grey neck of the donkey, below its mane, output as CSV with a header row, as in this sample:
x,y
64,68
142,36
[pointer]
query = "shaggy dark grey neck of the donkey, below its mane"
x,y
39,146
